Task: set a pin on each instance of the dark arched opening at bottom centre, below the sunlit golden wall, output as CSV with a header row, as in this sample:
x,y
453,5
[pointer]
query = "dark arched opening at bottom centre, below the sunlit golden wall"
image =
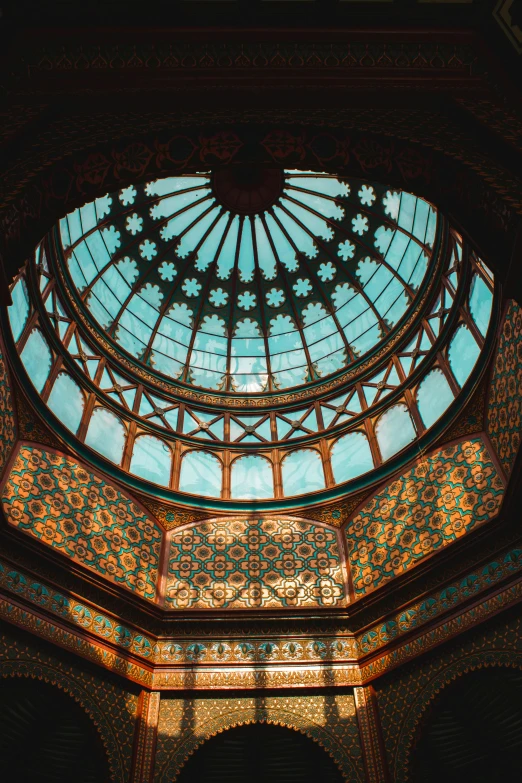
x,y
260,752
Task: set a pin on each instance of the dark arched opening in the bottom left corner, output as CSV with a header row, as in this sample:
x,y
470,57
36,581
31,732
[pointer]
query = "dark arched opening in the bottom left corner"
x,y
46,737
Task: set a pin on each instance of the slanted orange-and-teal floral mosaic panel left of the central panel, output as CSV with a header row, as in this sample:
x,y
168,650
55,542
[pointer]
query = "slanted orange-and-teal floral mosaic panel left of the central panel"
x,y
55,500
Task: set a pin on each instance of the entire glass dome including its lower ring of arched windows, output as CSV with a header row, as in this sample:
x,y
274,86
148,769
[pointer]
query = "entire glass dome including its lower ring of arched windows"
x,y
252,335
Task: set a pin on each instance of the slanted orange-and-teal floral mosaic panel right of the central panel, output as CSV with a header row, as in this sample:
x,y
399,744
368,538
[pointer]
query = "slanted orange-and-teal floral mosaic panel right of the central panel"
x,y
443,497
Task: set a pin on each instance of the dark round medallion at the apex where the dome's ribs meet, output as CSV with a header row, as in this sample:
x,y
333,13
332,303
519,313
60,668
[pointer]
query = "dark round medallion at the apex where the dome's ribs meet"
x,y
246,189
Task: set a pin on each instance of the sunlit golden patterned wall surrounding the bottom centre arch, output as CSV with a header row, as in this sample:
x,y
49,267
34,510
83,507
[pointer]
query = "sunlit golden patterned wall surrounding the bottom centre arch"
x,y
330,720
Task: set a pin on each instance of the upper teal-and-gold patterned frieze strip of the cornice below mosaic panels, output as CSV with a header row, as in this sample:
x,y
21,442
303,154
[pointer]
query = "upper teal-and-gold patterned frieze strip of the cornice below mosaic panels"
x,y
274,649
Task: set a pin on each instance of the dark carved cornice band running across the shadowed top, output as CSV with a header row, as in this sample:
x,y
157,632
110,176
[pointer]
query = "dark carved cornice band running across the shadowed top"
x,y
395,55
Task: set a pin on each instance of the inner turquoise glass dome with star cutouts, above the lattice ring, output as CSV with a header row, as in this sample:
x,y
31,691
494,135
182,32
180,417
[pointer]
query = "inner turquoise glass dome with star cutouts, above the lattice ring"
x,y
249,280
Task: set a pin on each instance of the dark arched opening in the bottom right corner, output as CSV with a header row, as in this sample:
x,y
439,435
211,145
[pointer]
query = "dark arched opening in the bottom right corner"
x,y
472,730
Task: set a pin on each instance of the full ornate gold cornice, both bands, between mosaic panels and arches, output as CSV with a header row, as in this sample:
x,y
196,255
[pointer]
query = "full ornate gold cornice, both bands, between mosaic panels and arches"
x,y
268,659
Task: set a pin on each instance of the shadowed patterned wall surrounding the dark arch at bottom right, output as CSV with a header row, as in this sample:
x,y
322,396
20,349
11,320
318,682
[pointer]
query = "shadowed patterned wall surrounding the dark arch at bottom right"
x,y
403,696
